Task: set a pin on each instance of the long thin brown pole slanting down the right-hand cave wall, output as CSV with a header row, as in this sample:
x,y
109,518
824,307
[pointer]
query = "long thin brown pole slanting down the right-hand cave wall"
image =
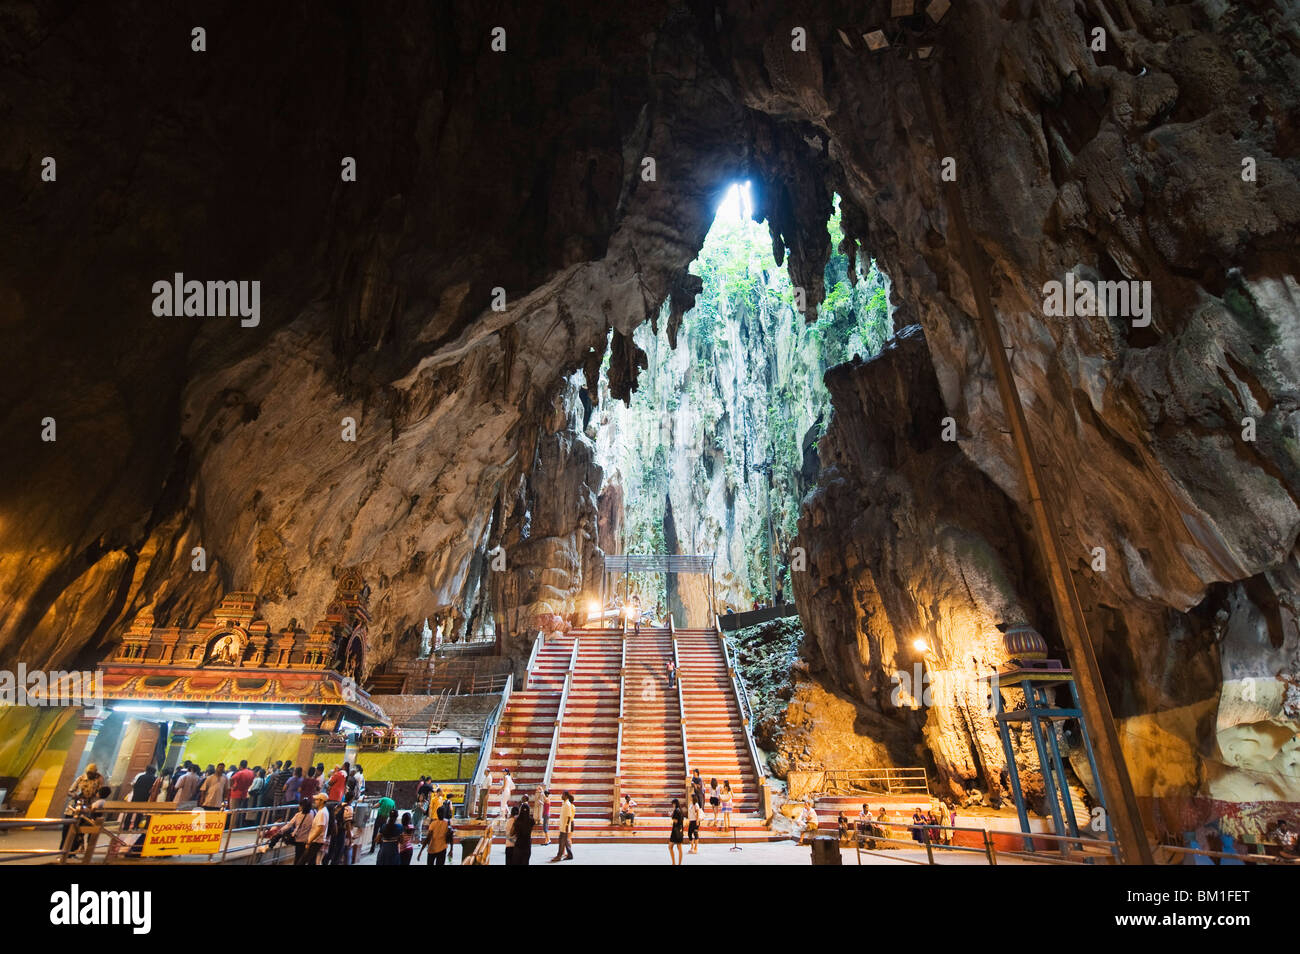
x,y
1113,773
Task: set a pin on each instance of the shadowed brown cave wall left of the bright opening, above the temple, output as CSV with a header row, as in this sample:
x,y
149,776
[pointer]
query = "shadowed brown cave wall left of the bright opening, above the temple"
x,y
475,171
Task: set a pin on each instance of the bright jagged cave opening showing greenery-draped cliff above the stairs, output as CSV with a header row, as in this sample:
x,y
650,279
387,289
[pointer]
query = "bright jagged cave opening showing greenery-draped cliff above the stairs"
x,y
717,446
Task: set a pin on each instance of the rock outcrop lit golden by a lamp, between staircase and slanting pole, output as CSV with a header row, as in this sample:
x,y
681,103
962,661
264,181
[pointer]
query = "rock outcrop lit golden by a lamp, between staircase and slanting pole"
x,y
908,541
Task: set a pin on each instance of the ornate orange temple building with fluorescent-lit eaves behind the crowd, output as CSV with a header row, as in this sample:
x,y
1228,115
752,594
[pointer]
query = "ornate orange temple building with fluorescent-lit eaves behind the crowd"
x,y
223,691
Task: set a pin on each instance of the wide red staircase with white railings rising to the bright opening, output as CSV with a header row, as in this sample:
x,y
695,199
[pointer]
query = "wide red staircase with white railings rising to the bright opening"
x,y
565,727
